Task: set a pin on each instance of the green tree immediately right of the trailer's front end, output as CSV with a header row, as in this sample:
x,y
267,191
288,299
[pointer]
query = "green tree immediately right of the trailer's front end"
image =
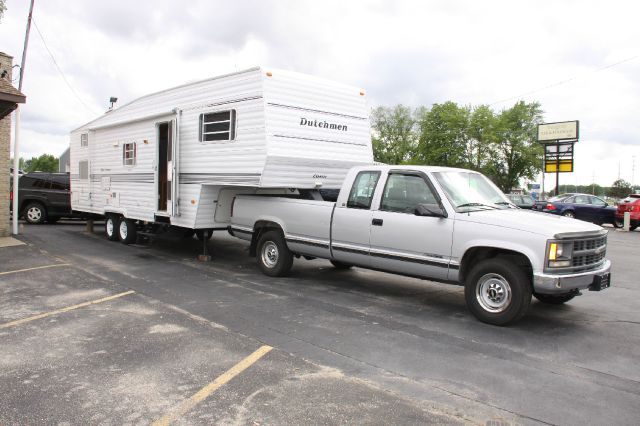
x,y
394,138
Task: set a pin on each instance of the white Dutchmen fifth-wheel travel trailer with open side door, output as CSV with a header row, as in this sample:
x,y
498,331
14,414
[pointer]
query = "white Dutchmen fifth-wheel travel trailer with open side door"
x,y
179,156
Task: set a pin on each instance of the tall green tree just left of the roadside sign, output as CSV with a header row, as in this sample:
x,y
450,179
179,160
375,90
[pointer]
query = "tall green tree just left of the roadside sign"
x,y
515,153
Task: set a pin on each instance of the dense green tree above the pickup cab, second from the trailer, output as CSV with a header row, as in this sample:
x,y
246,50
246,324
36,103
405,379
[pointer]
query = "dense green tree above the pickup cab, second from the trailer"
x,y
444,135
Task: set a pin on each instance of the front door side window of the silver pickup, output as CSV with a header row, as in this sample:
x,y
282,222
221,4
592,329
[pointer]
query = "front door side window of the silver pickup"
x,y
403,192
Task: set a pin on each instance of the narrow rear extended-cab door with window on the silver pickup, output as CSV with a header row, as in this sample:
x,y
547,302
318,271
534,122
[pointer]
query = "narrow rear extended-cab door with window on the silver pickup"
x,y
351,222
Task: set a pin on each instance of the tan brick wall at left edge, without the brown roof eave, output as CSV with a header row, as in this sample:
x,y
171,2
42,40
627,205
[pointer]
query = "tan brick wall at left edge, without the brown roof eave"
x,y
5,142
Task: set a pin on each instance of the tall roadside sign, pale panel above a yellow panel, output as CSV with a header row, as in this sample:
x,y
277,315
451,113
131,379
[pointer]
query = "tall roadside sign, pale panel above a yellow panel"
x,y
558,140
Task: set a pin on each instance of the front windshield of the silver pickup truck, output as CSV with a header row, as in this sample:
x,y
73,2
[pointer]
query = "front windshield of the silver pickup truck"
x,y
469,191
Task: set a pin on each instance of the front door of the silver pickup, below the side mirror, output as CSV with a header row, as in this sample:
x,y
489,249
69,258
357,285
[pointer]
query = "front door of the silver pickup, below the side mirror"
x,y
406,243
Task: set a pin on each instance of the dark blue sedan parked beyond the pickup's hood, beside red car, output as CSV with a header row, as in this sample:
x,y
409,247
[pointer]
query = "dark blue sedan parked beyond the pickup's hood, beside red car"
x,y
579,206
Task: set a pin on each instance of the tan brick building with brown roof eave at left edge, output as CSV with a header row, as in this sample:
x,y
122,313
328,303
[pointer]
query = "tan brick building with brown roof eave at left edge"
x,y
10,97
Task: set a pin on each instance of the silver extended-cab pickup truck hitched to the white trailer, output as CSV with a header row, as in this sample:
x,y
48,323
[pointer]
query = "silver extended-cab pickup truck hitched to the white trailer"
x,y
441,224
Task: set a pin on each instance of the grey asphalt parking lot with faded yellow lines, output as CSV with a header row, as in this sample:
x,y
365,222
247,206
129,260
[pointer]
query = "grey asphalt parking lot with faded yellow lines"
x,y
93,331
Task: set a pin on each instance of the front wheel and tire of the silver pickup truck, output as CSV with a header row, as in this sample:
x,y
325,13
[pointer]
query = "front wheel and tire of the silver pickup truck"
x,y
497,291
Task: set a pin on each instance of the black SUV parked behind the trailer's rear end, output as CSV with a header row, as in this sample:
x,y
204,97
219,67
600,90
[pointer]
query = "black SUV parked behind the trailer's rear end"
x,y
44,197
